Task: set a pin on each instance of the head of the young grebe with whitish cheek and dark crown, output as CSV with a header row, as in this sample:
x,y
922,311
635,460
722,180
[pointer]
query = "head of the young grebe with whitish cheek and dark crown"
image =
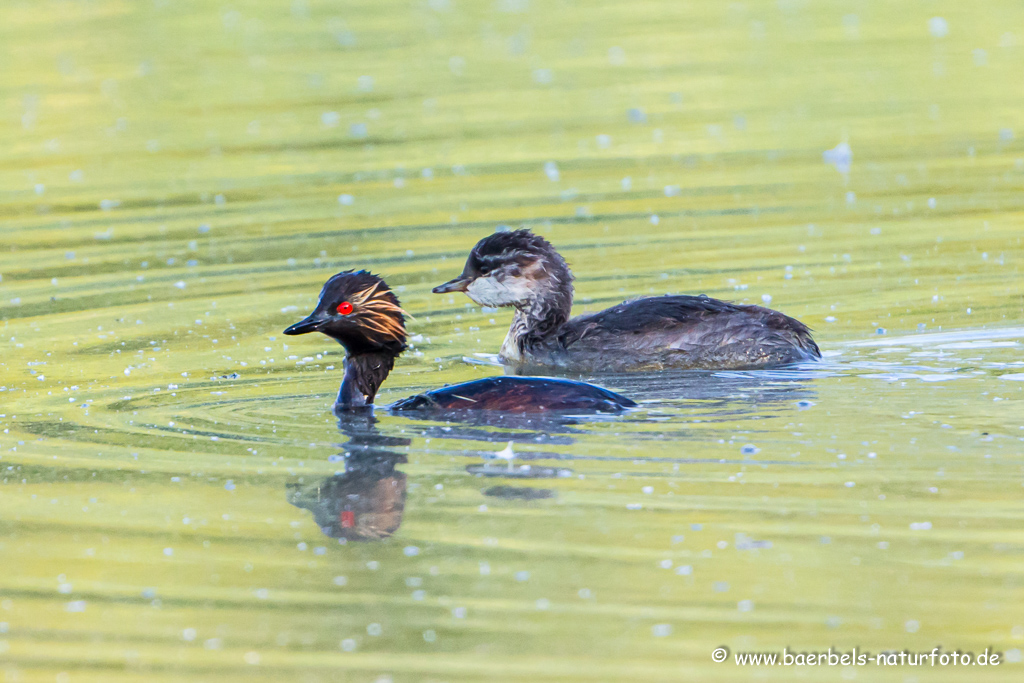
x,y
511,269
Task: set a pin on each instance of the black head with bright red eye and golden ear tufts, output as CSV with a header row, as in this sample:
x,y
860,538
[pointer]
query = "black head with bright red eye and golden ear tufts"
x,y
359,311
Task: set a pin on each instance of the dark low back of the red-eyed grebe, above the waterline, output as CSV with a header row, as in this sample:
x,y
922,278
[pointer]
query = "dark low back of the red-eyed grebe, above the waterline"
x,y
519,395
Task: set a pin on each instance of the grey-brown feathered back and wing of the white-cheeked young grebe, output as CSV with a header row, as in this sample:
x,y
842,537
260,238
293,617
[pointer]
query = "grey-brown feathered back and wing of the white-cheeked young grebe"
x,y
700,331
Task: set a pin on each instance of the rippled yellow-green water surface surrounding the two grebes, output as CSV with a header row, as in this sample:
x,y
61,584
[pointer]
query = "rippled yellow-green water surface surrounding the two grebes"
x,y
179,179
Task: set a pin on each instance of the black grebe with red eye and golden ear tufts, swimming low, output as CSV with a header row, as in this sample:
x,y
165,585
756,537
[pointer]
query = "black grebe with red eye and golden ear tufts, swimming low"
x,y
360,312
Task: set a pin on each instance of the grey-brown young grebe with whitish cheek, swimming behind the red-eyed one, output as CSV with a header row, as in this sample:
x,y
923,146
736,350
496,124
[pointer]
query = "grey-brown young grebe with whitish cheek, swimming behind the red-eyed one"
x,y
524,271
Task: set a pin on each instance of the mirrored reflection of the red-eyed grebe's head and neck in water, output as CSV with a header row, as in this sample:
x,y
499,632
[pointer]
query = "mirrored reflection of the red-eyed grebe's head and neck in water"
x,y
367,501
